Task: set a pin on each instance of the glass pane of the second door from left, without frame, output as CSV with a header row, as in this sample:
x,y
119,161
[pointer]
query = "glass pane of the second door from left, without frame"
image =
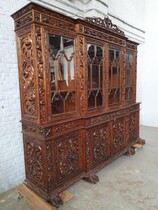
x,y
95,63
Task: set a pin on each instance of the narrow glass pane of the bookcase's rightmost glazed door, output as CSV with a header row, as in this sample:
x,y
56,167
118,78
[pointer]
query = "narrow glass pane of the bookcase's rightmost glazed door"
x,y
128,76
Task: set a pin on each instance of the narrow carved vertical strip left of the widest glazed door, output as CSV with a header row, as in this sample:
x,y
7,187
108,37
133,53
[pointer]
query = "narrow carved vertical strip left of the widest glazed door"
x,y
40,70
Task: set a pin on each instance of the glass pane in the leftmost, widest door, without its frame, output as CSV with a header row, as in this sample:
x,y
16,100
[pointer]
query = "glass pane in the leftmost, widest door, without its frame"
x,y
62,81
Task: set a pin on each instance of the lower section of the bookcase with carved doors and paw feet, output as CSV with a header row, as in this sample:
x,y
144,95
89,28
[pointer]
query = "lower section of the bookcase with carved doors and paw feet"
x,y
55,162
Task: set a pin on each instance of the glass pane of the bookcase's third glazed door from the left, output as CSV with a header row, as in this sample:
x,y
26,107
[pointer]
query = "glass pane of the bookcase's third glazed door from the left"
x,y
114,76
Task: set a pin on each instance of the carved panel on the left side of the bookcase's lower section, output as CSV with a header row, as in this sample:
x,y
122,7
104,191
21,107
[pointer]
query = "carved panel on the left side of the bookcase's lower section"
x,y
34,160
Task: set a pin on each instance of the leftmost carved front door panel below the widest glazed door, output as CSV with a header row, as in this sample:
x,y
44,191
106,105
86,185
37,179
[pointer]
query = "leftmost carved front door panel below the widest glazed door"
x,y
68,155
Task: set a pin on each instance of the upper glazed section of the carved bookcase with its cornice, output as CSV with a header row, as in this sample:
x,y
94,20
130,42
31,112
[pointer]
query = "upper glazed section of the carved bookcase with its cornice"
x,y
71,68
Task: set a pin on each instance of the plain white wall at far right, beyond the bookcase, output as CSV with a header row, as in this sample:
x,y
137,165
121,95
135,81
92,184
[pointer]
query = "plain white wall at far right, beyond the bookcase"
x,y
150,66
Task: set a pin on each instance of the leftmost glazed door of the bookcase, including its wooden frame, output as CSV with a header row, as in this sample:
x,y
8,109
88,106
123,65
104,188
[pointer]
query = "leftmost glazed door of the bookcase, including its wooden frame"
x,y
61,74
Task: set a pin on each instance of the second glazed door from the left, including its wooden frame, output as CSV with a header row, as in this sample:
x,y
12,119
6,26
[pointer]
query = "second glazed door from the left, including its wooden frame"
x,y
95,74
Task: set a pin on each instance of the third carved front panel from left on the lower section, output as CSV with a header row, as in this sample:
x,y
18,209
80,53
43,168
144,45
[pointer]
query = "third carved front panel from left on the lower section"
x,y
118,135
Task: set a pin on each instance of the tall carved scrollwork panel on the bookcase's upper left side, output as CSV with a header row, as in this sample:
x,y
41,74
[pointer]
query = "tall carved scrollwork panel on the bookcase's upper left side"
x,y
28,76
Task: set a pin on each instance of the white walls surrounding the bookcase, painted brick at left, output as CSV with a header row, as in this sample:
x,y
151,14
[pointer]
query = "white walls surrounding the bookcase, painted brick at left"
x,y
128,15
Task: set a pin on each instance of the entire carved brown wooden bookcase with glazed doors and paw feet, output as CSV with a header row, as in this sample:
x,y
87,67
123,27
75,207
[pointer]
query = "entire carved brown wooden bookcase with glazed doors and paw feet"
x,y
78,97
